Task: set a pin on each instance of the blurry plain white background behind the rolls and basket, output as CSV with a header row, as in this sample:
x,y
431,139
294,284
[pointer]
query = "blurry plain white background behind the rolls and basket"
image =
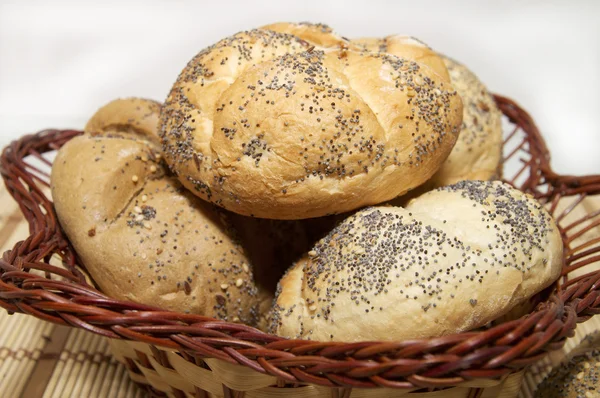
x,y
61,60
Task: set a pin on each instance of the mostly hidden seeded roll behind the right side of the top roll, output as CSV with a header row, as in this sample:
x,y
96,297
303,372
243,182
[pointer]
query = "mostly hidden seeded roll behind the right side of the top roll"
x,y
477,154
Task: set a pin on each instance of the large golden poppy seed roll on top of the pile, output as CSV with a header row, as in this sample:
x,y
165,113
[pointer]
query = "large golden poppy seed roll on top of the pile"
x,y
266,124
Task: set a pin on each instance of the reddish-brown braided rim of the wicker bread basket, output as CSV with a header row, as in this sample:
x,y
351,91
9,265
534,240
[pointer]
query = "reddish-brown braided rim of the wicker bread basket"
x,y
434,362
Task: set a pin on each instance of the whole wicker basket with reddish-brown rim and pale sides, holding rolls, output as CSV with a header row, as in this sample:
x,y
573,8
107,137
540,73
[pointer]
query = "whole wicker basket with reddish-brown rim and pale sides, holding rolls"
x,y
181,355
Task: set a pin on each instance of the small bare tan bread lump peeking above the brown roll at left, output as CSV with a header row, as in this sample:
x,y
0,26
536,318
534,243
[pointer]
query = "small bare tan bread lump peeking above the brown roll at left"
x,y
127,116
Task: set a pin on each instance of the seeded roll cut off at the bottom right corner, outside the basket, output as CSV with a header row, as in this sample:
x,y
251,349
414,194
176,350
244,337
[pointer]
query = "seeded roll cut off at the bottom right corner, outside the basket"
x,y
578,378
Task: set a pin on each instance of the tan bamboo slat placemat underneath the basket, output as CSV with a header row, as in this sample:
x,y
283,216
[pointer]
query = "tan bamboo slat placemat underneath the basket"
x,y
40,359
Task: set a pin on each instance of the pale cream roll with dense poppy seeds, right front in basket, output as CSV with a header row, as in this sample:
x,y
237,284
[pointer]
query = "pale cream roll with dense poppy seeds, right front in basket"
x,y
455,259
